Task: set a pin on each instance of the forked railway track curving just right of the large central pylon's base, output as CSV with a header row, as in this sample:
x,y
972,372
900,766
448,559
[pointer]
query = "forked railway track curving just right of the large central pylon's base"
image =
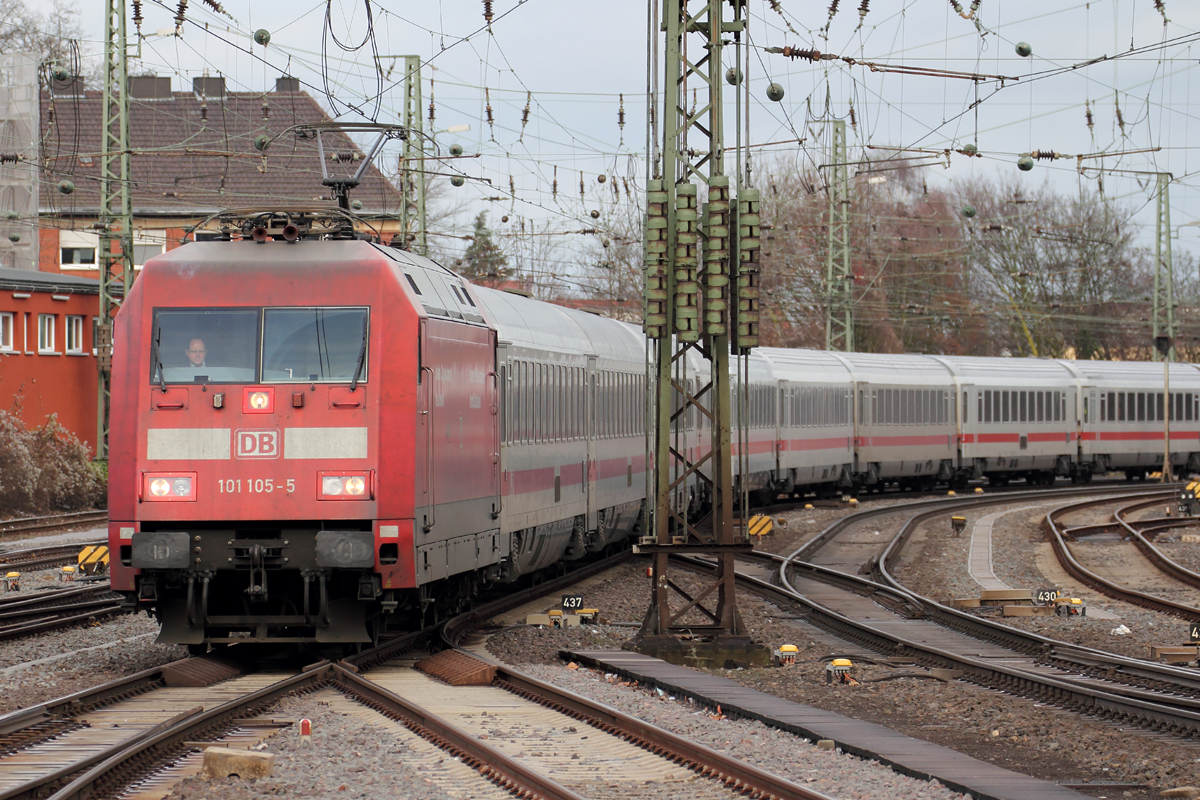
x,y
883,616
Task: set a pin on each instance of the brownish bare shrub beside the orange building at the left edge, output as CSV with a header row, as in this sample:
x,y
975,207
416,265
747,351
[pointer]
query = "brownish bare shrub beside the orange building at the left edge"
x,y
46,470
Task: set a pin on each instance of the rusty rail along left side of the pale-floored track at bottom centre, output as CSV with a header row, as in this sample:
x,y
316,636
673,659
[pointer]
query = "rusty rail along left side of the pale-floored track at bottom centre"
x,y
493,763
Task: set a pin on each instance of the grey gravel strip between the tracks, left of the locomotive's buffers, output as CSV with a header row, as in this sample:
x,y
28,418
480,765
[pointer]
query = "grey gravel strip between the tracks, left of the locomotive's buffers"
x,y
77,659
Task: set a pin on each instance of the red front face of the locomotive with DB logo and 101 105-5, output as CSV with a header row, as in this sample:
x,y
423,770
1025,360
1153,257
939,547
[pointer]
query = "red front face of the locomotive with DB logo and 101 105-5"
x,y
248,442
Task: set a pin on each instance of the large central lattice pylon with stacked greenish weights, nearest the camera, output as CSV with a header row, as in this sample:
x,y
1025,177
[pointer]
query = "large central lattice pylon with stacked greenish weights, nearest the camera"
x,y
701,299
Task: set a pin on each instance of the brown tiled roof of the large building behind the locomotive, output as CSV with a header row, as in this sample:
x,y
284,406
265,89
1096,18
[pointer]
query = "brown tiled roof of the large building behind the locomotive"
x,y
185,165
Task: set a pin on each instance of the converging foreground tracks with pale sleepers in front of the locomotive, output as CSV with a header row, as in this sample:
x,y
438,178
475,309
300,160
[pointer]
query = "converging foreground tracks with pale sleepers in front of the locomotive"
x,y
134,736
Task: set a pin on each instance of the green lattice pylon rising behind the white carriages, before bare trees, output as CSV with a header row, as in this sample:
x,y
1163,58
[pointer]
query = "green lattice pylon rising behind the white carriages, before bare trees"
x,y
839,278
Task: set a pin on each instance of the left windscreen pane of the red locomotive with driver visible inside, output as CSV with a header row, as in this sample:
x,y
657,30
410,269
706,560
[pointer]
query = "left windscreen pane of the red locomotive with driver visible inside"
x,y
207,346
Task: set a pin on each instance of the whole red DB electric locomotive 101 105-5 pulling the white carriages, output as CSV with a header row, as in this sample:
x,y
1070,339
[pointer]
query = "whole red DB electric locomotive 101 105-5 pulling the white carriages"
x,y
275,467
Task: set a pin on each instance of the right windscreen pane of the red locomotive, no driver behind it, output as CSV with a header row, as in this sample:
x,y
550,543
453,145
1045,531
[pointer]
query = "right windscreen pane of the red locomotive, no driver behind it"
x,y
315,345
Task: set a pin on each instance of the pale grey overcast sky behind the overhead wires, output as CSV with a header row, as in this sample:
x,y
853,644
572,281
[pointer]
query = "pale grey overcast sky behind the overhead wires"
x,y
577,59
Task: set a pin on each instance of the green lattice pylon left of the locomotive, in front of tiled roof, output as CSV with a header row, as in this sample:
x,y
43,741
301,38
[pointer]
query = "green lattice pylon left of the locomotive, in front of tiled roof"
x,y
116,222
